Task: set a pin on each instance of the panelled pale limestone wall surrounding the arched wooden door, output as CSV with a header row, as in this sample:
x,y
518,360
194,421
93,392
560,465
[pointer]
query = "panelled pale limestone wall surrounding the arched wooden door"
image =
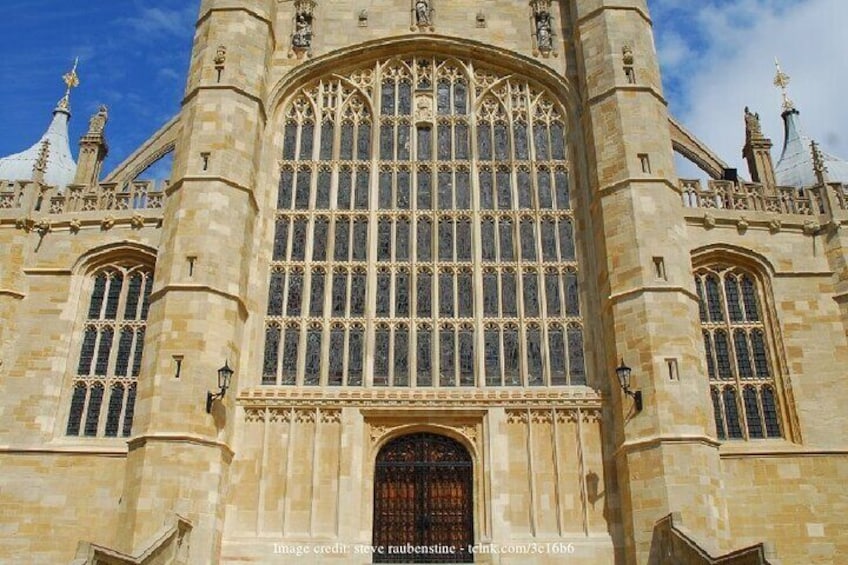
x,y
303,478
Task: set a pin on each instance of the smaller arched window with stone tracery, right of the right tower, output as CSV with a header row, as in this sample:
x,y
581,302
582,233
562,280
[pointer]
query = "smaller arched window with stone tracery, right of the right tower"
x,y
740,357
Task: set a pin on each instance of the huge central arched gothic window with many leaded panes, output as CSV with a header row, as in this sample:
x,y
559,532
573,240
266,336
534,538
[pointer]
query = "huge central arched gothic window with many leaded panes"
x,y
424,233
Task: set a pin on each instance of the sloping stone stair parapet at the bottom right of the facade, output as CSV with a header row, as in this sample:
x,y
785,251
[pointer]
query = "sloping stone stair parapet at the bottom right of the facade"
x,y
672,544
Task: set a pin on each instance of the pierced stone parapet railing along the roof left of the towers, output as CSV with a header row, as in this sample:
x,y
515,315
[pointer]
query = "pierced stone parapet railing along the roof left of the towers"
x,y
34,197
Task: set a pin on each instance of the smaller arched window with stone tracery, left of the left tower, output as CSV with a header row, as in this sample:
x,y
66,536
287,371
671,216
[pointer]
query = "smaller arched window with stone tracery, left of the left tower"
x,y
106,372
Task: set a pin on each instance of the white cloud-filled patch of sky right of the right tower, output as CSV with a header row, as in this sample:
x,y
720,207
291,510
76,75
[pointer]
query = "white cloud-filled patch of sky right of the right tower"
x,y
736,43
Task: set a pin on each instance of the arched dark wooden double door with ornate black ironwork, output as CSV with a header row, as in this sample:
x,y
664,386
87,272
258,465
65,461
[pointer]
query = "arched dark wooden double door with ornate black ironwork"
x,y
423,501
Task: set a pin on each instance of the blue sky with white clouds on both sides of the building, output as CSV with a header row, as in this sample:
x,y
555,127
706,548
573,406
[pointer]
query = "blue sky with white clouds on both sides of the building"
x,y
717,57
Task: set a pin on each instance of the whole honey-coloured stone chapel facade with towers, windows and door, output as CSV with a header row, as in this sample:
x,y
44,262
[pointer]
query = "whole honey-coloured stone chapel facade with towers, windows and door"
x,y
424,235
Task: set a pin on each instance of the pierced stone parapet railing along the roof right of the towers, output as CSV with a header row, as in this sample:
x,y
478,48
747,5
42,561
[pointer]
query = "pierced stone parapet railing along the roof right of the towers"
x,y
729,195
